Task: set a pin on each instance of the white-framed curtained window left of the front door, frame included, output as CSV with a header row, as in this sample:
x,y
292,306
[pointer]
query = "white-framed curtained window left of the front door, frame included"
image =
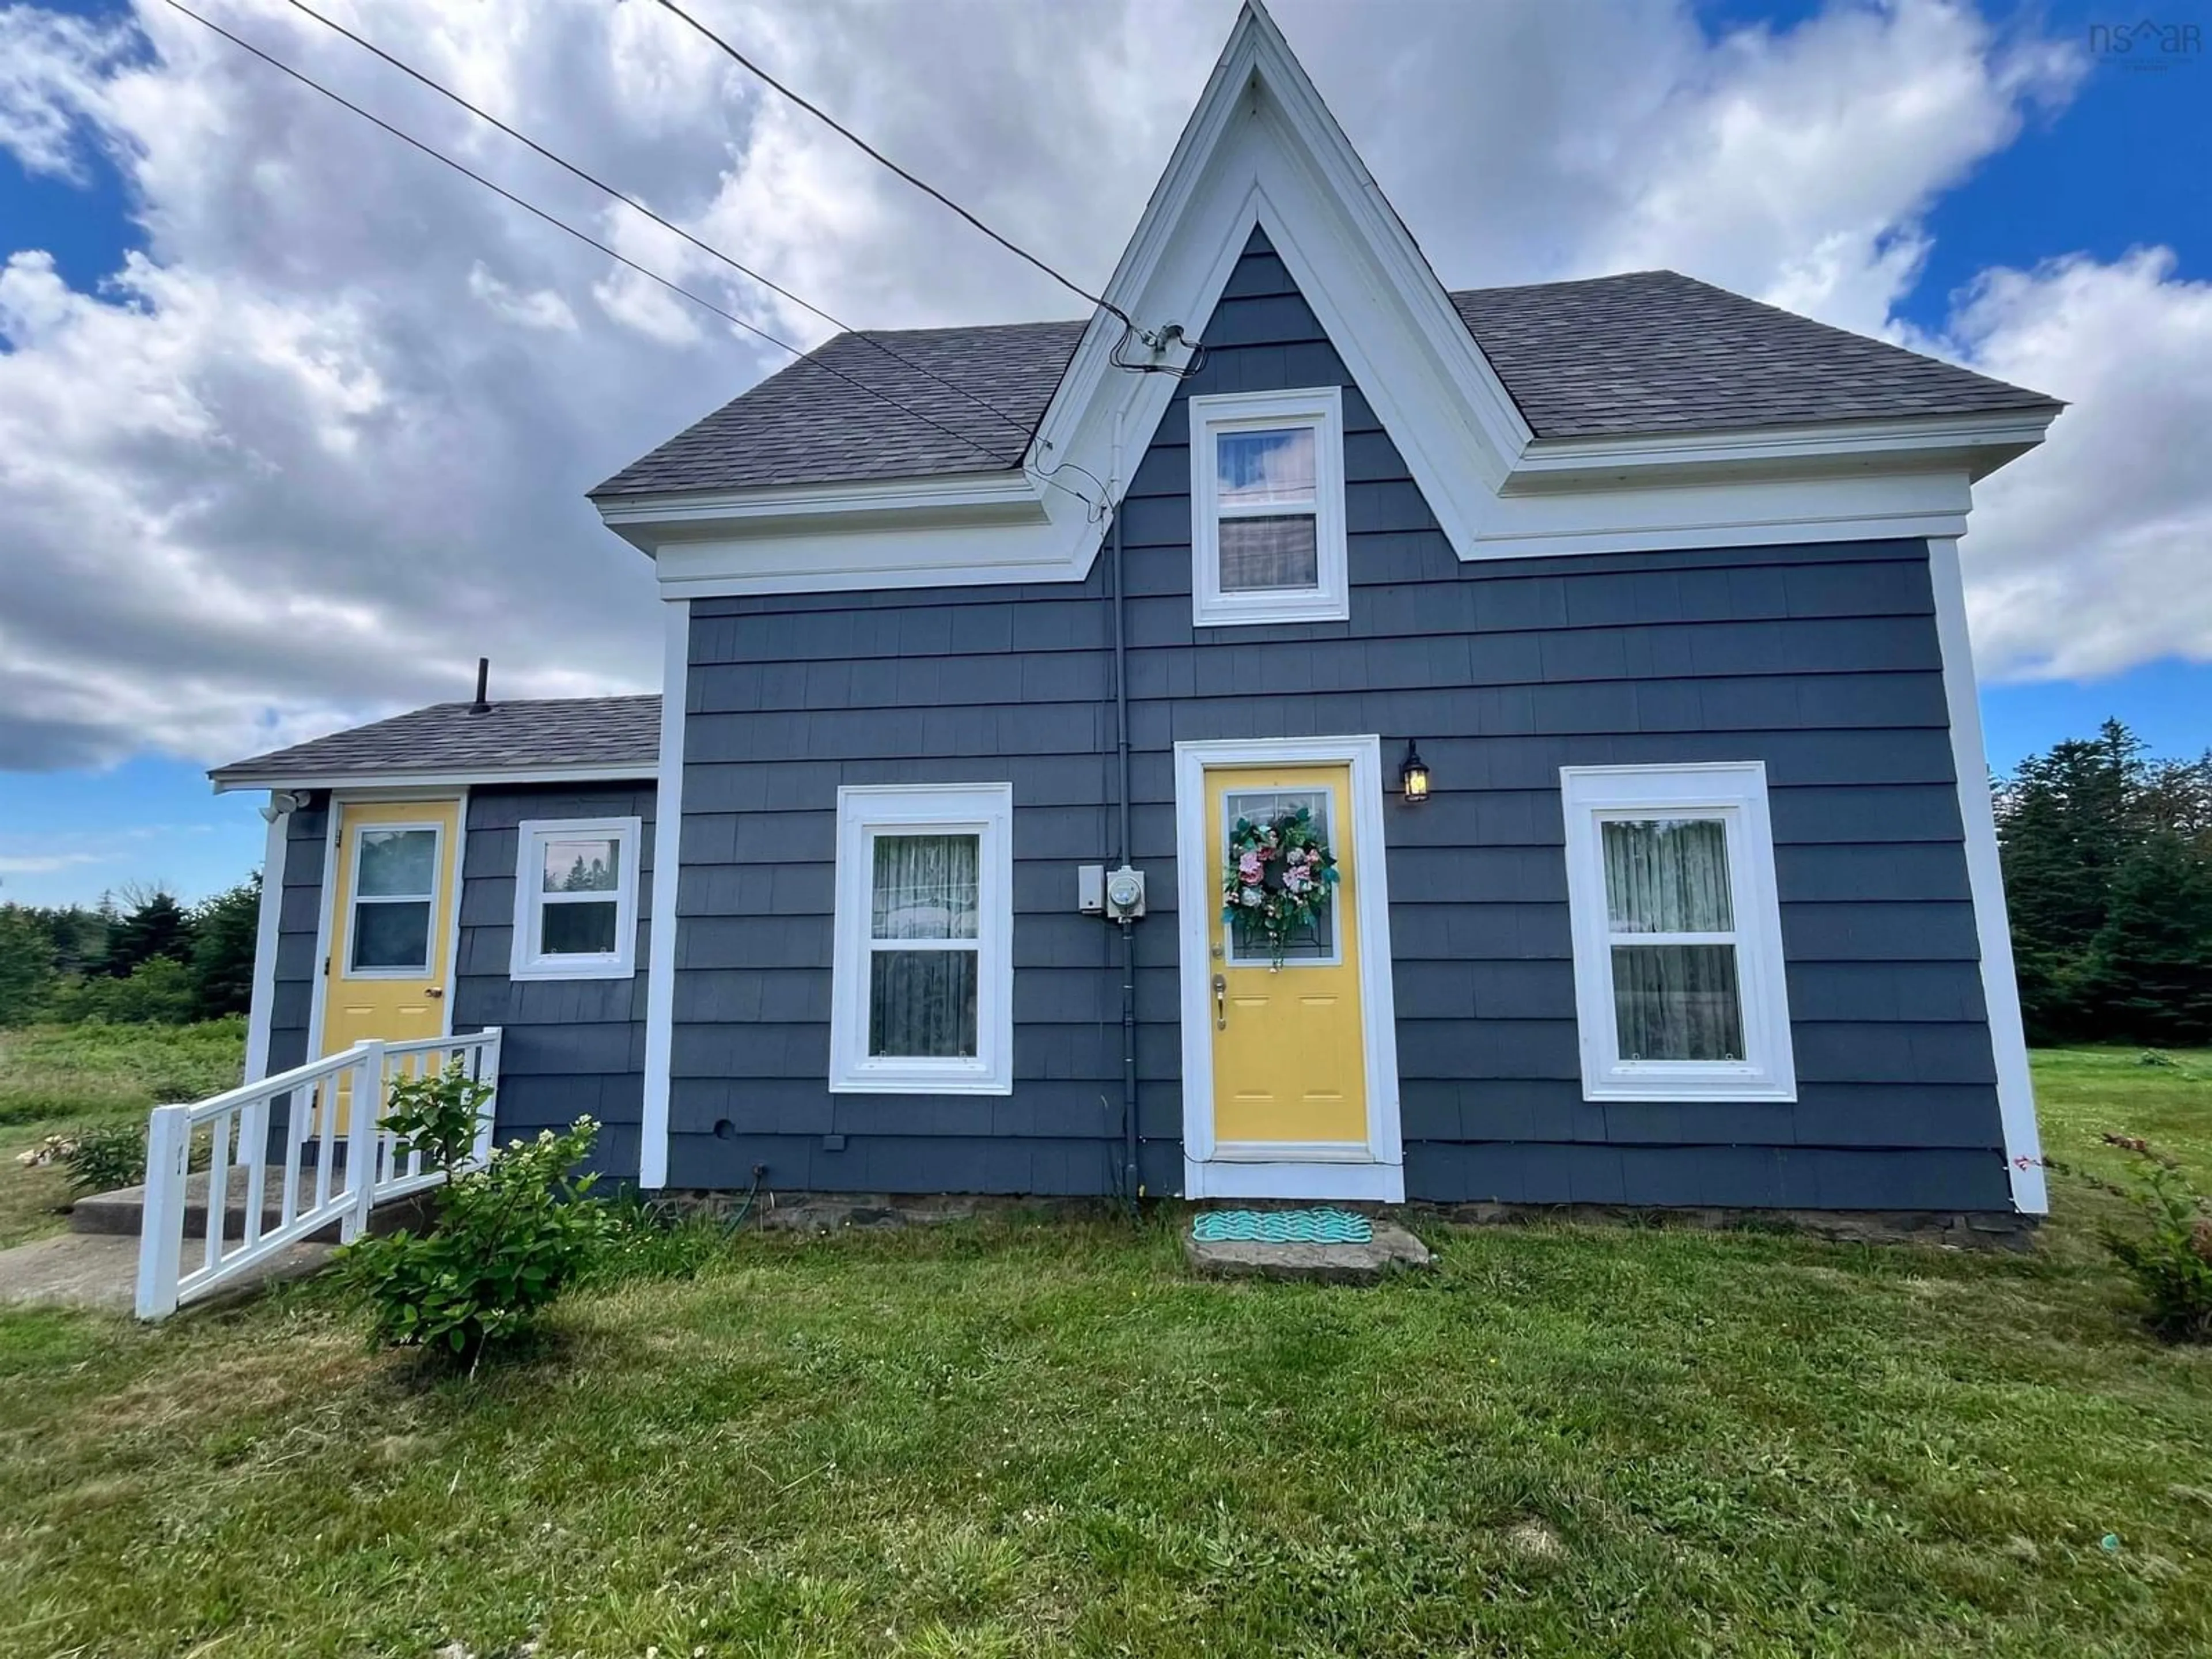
x,y
921,988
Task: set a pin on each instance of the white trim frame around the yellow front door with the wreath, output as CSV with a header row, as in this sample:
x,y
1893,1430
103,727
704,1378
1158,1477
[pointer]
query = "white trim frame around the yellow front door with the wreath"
x,y
1240,1173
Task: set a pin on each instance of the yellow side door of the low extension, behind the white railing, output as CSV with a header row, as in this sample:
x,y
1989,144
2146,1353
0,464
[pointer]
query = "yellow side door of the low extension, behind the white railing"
x,y
390,924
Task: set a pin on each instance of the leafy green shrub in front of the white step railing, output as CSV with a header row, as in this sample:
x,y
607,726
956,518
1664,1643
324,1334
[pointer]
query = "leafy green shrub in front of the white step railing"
x,y
510,1238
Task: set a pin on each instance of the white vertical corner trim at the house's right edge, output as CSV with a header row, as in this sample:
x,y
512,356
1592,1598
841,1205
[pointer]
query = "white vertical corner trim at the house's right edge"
x,y
1985,879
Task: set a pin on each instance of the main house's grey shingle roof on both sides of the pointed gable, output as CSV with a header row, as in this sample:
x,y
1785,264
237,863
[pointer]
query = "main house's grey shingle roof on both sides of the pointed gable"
x,y
1649,353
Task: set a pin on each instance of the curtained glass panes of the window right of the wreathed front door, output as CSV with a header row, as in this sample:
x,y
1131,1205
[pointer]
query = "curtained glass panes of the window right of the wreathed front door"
x,y
1673,1001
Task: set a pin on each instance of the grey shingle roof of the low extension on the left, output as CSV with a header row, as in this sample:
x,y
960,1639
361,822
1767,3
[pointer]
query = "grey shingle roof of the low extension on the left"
x,y
448,738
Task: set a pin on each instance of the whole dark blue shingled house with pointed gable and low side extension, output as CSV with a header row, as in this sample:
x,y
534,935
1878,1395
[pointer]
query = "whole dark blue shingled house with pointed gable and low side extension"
x,y
1297,733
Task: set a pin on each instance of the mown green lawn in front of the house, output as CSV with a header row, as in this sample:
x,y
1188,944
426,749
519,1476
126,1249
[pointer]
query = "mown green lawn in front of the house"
x,y
1010,1439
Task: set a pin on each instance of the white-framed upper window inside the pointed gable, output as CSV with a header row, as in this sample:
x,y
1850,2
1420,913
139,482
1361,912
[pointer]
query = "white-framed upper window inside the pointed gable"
x,y
1269,508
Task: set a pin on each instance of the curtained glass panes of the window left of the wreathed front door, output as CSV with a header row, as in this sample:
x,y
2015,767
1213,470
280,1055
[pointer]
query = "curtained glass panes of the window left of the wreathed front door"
x,y
924,1003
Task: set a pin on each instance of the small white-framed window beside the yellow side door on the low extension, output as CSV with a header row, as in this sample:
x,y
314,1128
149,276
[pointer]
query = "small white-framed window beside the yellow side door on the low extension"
x,y
576,899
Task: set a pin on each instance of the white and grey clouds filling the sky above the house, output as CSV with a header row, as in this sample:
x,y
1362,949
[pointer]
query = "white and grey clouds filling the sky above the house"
x,y
326,439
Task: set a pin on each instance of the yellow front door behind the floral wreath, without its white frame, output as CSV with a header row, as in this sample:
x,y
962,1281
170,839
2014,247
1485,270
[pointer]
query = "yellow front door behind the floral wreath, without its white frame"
x,y
1291,1047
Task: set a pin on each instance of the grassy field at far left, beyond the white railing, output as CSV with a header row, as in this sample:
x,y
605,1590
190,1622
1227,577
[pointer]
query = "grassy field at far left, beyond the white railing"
x,y
56,1078
